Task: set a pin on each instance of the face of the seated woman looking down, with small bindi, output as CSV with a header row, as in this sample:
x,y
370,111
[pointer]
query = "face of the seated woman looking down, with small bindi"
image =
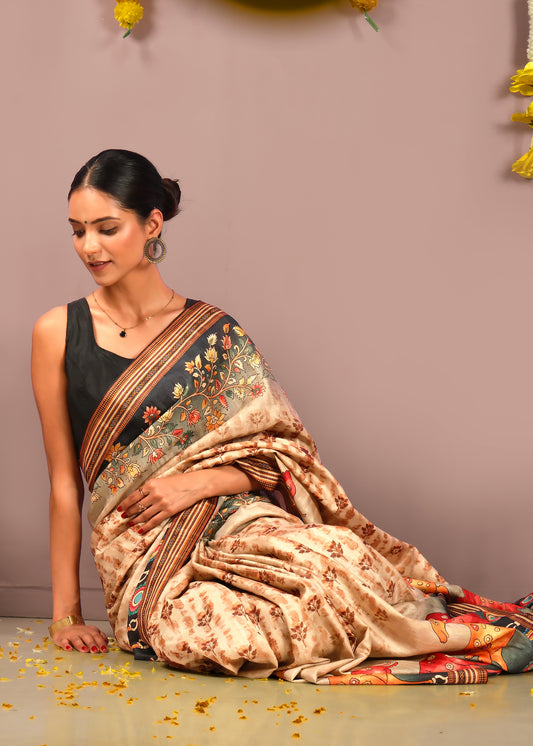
x,y
108,239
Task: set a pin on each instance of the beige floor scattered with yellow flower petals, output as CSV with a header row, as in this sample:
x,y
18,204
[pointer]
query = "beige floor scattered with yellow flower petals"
x,y
54,698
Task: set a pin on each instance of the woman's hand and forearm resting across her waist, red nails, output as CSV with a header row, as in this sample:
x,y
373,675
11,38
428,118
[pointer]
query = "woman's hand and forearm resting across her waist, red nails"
x,y
162,498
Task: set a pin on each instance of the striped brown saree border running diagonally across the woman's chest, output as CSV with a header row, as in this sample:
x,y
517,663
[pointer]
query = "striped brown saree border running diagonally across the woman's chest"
x,y
123,398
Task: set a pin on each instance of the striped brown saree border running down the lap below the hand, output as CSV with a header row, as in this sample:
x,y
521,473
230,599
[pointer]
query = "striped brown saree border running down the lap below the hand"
x,y
180,538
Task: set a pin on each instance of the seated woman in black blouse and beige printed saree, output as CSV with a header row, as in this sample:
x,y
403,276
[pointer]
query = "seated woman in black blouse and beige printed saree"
x,y
222,542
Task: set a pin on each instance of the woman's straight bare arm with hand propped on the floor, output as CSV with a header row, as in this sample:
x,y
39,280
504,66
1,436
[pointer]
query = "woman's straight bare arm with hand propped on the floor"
x,y
49,385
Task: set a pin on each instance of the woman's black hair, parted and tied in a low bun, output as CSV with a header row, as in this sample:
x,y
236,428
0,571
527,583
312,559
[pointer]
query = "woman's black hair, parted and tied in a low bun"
x,y
132,181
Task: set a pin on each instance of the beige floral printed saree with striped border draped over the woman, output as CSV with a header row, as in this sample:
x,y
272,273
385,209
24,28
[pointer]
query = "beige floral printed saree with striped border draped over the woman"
x,y
290,580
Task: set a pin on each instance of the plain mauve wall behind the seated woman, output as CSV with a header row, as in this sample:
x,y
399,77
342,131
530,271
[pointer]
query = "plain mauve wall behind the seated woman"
x,y
348,197
